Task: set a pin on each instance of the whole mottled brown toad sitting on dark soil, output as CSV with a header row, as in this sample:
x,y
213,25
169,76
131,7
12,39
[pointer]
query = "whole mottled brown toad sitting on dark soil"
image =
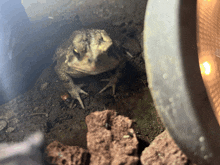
x,y
87,52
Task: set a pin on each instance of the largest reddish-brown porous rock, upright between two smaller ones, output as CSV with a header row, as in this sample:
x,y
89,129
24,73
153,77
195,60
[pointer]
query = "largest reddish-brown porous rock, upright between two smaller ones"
x,y
111,140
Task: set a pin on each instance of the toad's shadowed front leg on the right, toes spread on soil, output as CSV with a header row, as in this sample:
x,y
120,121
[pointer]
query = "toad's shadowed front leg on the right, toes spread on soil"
x,y
114,79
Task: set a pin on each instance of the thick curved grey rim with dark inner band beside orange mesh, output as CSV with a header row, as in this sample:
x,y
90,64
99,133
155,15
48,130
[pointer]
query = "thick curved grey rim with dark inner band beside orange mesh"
x,y
175,81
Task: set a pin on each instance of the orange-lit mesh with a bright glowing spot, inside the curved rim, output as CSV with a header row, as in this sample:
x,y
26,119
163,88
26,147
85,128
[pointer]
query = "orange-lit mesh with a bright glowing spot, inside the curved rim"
x,y
208,42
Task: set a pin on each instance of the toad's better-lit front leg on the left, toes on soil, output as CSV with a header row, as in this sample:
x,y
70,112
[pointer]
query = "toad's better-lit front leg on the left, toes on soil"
x,y
73,89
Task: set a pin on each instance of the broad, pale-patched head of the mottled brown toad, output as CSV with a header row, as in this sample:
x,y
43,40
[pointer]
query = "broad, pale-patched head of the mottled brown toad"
x,y
91,51
